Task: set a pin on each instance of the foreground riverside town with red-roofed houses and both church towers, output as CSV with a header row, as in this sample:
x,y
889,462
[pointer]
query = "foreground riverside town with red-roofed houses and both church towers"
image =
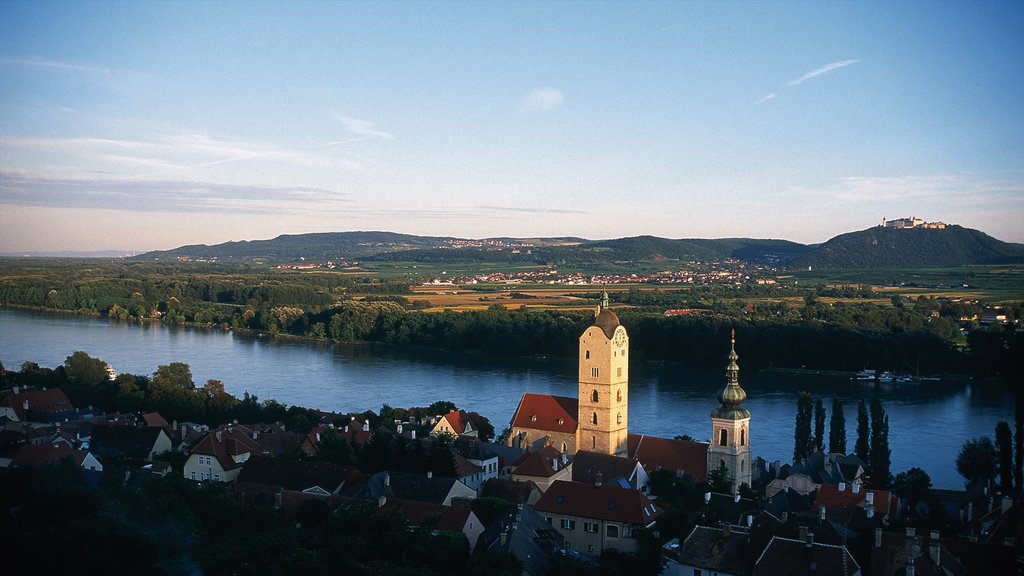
x,y
577,481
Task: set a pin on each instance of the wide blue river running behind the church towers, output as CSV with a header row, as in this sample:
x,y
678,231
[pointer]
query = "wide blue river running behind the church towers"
x,y
928,424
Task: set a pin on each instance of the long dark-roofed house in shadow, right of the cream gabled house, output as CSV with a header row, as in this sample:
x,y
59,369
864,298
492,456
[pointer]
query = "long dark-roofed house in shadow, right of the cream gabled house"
x,y
285,482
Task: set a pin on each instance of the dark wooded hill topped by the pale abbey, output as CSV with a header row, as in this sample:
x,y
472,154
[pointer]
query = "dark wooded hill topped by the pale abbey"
x,y
883,248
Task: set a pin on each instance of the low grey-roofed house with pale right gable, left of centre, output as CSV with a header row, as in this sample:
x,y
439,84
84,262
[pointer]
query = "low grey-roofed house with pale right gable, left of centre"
x,y
425,488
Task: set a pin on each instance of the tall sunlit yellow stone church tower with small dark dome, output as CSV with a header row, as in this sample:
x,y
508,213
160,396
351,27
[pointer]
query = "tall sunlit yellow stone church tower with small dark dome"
x,y
604,385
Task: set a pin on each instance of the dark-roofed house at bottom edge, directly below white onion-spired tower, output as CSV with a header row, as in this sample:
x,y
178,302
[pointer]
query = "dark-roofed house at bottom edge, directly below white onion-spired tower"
x,y
709,551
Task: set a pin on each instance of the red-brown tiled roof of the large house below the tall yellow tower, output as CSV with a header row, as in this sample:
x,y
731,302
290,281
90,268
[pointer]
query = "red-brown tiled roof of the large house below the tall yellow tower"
x,y
608,503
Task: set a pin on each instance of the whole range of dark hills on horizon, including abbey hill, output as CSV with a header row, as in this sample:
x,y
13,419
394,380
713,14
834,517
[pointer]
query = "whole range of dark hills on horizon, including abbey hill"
x,y
875,248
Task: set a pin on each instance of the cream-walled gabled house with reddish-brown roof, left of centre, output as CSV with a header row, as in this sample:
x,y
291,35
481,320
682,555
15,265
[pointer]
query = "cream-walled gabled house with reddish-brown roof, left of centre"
x,y
221,455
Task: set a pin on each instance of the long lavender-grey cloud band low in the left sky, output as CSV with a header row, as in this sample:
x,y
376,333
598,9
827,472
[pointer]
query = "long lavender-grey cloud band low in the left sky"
x,y
20,189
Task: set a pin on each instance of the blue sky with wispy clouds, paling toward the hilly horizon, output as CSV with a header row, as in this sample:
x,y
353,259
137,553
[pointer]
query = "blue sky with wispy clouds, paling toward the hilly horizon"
x,y
151,126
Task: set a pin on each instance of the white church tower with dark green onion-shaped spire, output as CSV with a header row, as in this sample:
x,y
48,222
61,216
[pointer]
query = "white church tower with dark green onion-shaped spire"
x,y
731,443
